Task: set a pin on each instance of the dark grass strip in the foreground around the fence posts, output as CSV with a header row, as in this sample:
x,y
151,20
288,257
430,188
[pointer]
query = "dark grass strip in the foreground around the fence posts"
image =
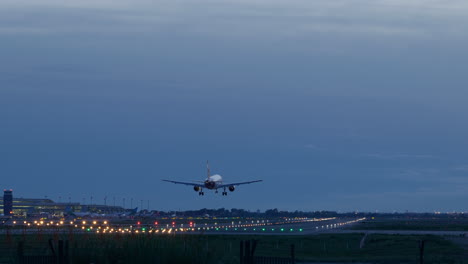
x,y
95,248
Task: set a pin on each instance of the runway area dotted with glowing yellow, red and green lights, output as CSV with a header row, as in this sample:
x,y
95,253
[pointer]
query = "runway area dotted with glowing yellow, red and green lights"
x,y
279,226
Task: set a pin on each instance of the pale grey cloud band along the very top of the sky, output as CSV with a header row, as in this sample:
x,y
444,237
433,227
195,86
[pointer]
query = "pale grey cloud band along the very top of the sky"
x,y
279,19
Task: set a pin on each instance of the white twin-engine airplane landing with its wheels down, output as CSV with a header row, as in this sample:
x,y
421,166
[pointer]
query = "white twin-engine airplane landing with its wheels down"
x,y
212,182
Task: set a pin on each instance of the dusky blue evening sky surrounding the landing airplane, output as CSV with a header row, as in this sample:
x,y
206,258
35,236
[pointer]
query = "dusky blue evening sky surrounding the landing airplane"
x,y
344,105
